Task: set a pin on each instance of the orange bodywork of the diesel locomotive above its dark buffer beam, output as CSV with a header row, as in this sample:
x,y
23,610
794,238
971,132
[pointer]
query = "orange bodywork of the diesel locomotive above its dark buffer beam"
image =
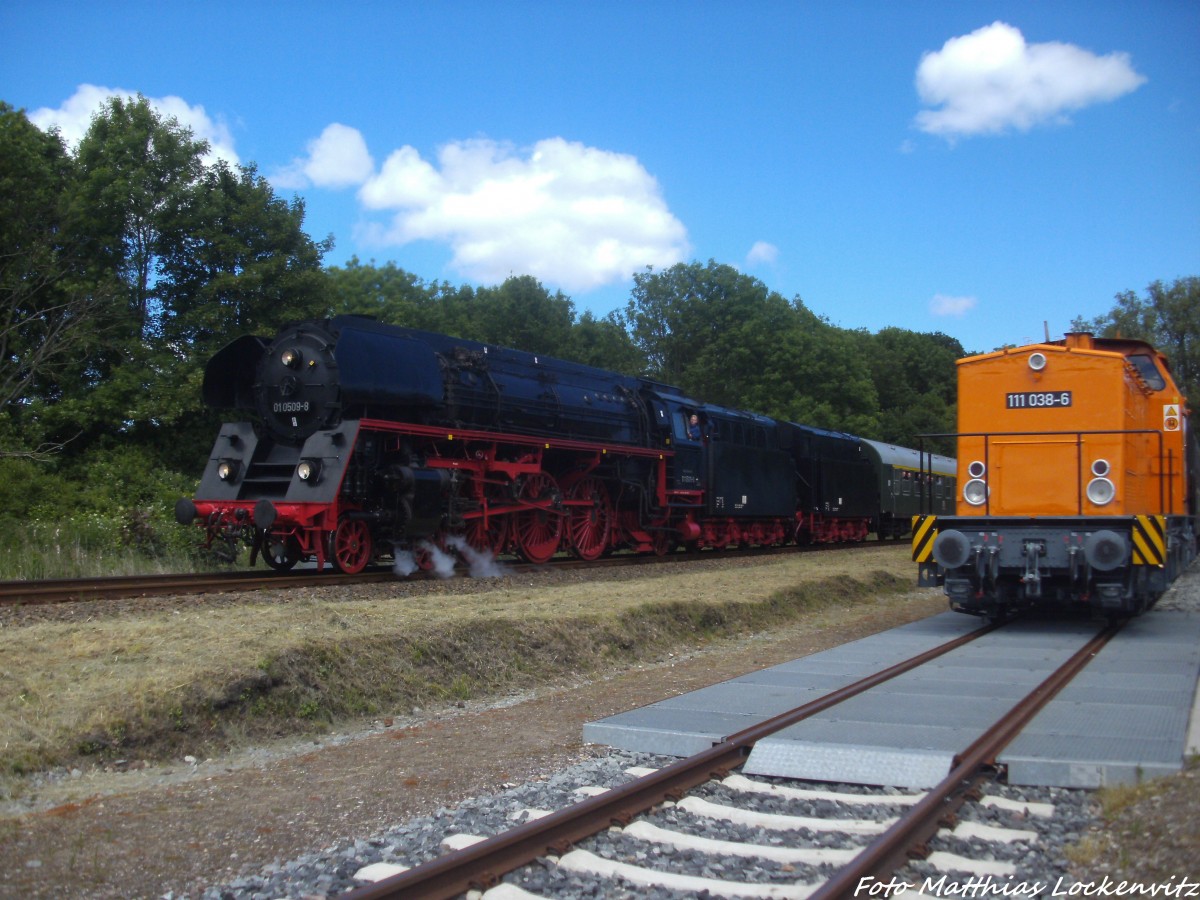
x,y
1046,422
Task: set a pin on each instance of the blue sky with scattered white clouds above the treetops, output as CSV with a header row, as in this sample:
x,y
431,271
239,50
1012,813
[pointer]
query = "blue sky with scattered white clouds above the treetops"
x,y
975,169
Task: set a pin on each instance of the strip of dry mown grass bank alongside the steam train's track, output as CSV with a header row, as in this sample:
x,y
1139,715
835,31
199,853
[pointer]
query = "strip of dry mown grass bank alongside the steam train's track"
x,y
206,679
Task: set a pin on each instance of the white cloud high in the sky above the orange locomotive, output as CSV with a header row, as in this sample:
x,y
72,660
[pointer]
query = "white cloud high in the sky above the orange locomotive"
x,y
992,80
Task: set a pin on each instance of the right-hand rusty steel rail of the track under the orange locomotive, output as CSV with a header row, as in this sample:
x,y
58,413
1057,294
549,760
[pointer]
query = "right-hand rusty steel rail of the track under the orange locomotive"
x,y
910,835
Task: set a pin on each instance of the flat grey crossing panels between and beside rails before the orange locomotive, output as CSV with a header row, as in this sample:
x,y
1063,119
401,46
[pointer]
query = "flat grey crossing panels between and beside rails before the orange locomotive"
x,y
1124,719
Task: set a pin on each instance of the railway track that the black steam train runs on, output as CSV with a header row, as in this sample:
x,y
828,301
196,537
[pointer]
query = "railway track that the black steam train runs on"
x,y
58,591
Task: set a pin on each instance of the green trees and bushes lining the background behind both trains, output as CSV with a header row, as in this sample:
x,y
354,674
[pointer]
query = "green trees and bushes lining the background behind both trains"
x,y
125,266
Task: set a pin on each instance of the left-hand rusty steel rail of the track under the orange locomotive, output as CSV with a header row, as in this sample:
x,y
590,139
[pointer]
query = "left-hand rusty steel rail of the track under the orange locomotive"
x,y
483,865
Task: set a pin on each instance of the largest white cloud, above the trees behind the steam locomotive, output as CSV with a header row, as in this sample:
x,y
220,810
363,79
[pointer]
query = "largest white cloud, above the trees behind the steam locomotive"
x,y
573,215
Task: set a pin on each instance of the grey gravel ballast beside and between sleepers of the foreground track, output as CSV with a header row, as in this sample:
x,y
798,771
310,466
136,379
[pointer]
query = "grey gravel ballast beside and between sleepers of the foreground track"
x,y
1042,866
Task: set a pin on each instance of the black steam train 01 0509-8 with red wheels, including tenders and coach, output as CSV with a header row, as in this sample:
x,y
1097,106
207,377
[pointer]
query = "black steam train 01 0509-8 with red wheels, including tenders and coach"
x,y
367,440
